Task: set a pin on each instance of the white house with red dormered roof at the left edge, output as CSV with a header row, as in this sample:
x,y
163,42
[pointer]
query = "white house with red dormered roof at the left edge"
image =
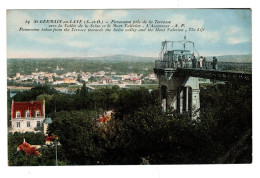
x,y
27,116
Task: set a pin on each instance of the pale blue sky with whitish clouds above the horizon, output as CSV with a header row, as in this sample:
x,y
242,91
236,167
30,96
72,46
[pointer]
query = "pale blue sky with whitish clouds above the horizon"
x,y
227,32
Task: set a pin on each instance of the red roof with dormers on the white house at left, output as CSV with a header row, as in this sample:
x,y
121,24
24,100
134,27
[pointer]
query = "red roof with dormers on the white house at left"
x,y
32,106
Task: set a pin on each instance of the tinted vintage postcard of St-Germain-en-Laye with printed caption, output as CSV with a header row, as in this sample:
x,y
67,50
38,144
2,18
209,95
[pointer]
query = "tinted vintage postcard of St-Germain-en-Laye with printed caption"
x,y
129,87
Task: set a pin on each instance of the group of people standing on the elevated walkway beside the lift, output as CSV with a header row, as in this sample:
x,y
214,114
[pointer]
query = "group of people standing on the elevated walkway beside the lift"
x,y
194,63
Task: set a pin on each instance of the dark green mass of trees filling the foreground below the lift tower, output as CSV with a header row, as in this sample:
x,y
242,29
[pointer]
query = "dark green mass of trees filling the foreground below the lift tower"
x,y
140,133
